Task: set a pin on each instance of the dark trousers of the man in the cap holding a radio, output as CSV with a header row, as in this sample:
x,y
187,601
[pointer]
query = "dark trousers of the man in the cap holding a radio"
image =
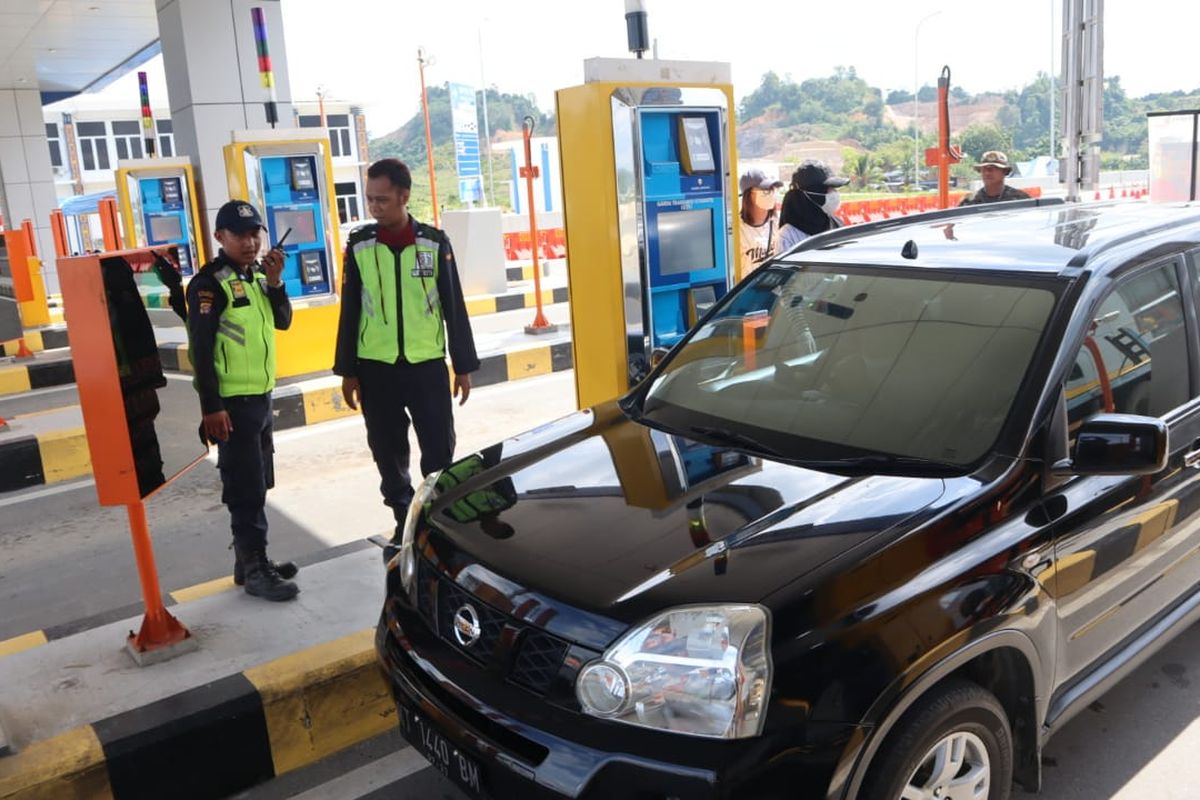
x,y
248,467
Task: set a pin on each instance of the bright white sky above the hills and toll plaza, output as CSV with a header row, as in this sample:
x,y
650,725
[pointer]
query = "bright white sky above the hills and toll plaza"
x,y
367,52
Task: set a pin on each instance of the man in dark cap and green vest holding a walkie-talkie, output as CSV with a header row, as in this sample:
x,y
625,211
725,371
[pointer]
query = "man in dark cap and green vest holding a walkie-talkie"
x,y
233,311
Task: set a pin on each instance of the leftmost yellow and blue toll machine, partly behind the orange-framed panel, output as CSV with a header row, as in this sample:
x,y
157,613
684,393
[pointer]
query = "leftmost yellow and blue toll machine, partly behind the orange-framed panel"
x,y
160,208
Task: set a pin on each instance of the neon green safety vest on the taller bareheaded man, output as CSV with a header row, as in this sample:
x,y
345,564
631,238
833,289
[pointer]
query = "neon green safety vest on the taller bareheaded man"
x,y
379,332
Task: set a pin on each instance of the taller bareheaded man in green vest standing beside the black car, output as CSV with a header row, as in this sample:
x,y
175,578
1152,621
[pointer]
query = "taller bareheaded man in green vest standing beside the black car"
x,y
401,304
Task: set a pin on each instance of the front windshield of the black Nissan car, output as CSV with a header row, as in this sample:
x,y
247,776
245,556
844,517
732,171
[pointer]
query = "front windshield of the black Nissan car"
x,y
842,365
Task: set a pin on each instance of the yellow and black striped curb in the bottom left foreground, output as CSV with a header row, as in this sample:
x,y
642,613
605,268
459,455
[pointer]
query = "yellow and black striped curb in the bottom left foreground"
x,y
220,738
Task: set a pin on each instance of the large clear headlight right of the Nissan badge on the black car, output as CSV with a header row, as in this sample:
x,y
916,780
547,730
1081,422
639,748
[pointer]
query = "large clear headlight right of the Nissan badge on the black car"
x,y
698,670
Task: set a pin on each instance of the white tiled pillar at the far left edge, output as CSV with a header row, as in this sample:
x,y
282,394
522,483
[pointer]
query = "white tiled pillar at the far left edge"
x,y
27,184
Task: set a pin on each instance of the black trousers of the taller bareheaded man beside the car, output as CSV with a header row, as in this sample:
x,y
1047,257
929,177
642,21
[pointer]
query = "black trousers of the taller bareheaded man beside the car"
x,y
392,394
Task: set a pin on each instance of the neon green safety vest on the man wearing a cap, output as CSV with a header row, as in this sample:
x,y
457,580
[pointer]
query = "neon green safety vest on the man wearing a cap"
x,y
245,346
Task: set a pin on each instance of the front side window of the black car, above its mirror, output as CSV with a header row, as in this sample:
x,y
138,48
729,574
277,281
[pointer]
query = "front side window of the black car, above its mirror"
x,y
1136,357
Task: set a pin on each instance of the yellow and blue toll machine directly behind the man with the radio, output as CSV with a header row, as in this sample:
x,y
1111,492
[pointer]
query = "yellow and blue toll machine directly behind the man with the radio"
x,y
290,177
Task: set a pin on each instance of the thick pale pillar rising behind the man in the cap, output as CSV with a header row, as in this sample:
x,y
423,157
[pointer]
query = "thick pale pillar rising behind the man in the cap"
x,y
213,81
